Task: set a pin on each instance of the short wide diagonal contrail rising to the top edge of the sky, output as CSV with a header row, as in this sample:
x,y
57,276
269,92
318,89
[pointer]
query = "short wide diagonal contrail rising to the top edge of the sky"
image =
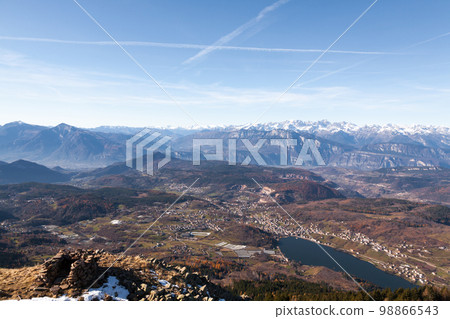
x,y
230,36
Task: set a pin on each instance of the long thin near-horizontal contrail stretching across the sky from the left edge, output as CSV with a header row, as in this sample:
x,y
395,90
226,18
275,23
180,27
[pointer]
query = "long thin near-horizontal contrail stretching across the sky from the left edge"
x,y
187,46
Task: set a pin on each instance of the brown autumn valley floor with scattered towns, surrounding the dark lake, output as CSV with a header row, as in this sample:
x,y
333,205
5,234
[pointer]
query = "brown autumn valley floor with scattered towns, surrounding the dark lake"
x,y
226,227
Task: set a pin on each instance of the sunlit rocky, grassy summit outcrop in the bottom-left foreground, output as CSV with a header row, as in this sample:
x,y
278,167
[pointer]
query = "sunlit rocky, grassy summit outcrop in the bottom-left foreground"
x,y
71,273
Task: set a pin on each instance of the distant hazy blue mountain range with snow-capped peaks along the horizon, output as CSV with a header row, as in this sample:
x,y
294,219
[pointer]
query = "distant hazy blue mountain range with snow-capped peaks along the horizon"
x,y
340,144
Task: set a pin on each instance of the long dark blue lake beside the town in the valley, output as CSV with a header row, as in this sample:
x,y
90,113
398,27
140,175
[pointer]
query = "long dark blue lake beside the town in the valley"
x,y
308,253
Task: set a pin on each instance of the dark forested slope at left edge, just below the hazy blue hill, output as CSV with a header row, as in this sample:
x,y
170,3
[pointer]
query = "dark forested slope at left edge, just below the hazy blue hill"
x,y
46,204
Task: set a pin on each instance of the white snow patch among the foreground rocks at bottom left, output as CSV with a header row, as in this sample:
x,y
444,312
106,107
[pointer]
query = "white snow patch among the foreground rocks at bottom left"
x,y
111,288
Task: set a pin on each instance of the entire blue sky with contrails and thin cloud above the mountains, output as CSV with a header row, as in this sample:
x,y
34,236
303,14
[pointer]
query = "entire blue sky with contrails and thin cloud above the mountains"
x,y
224,62
